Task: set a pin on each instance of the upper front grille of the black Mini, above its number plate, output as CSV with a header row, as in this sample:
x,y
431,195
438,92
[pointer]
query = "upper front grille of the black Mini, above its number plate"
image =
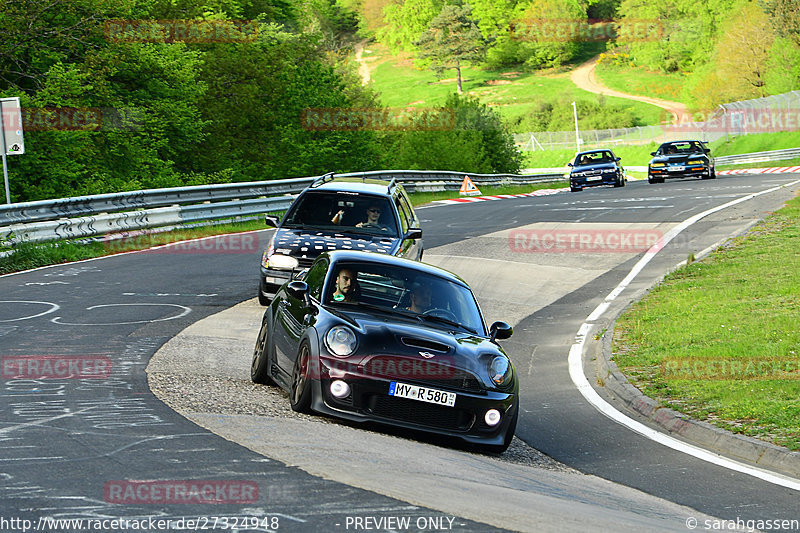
x,y
425,371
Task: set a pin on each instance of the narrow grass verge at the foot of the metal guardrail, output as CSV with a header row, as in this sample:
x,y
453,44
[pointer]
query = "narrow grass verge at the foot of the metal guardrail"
x,y
33,255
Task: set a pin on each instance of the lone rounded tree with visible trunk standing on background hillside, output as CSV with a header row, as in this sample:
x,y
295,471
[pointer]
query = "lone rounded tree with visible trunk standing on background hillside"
x,y
451,41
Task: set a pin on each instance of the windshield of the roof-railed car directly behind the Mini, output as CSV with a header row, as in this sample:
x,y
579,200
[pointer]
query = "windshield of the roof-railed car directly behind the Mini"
x,y
343,212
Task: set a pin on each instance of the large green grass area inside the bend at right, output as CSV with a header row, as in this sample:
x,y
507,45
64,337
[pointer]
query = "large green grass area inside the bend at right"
x,y
739,307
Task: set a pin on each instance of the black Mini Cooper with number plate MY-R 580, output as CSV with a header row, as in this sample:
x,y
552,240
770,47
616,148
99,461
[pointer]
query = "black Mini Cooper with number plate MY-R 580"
x,y
373,338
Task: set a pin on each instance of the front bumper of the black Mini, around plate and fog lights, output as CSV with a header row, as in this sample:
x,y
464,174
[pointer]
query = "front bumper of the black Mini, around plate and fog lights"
x,y
369,401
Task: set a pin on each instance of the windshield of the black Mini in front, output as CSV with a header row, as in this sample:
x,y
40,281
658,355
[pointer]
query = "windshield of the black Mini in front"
x,y
407,292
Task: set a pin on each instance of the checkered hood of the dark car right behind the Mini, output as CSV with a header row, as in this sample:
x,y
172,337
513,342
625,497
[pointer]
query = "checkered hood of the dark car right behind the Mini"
x,y
309,243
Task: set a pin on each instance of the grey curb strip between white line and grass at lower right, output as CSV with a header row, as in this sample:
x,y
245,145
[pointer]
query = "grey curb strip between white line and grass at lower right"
x,y
742,448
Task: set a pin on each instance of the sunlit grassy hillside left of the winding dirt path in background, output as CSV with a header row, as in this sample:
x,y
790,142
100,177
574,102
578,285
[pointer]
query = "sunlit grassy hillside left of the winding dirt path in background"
x,y
510,93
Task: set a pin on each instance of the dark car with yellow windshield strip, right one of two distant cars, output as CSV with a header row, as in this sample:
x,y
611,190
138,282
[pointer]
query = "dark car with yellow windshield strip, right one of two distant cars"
x,y
681,159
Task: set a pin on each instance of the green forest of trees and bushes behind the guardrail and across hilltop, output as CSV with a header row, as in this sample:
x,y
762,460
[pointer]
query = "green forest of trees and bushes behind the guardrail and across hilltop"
x,y
137,94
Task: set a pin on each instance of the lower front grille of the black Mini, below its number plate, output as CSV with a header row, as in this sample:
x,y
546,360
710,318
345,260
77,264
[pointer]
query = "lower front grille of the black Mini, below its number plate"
x,y
424,414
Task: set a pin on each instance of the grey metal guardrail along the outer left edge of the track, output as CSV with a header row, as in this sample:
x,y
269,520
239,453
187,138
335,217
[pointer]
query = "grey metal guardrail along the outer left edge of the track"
x,y
87,216
